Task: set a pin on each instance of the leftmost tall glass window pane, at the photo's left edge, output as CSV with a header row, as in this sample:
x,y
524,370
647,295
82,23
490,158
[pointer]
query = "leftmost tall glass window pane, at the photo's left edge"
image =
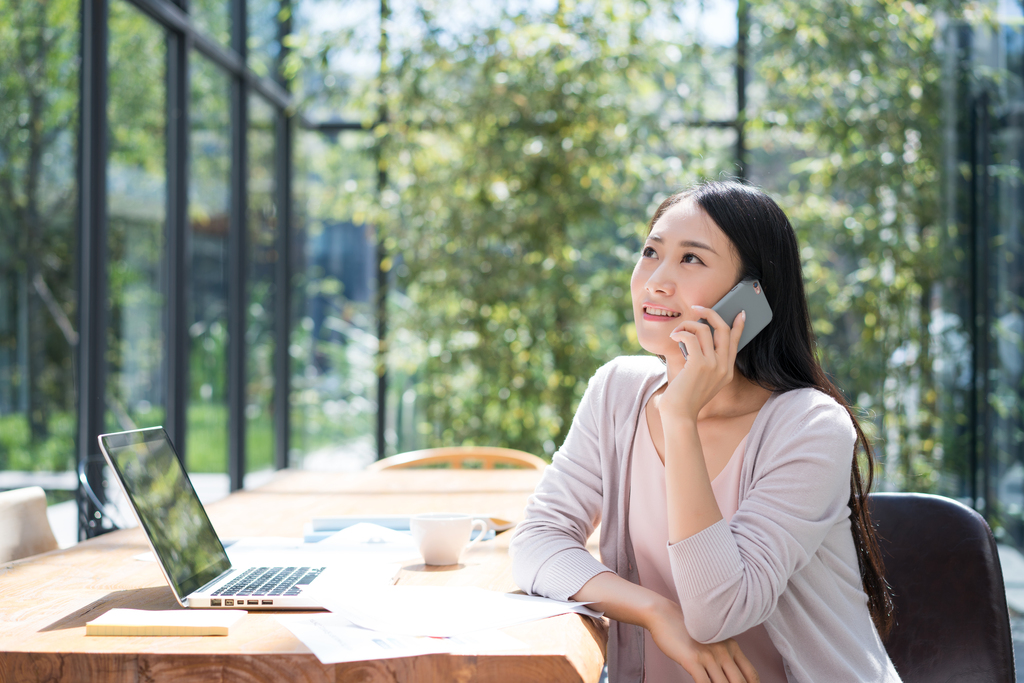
x,y
38,242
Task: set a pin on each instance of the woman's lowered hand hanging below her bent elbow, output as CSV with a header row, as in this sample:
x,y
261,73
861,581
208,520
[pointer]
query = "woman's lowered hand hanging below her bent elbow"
x,y
715,663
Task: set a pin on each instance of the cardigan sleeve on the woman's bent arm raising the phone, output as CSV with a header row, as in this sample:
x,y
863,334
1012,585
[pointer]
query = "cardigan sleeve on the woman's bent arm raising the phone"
x,y
731,576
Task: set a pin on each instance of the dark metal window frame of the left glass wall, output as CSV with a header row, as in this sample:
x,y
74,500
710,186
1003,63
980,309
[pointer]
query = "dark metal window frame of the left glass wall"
x,y
93,258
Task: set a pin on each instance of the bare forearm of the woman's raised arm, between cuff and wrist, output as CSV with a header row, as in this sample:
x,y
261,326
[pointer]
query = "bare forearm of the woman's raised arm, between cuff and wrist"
x,y
692,504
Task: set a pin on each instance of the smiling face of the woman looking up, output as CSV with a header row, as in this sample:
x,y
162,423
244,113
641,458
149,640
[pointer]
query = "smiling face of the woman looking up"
x,y
687,261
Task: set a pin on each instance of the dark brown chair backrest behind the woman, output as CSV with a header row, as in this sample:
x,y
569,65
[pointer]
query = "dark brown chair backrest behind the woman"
x,y
950,603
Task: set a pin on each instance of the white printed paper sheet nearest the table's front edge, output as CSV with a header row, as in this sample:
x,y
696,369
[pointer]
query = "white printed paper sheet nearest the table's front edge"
x,y
334,639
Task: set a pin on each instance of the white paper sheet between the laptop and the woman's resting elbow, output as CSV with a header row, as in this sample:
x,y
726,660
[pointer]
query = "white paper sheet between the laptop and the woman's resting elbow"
x,y
442,611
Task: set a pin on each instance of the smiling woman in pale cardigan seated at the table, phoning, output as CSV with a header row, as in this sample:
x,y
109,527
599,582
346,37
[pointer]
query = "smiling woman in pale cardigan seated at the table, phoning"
x,y
735,541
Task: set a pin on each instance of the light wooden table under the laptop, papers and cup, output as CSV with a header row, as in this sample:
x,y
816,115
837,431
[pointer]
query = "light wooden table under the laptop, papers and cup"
x,y
47,601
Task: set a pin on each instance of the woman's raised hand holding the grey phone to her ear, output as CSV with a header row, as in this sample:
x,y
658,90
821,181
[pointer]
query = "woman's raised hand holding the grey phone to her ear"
x,y
710,365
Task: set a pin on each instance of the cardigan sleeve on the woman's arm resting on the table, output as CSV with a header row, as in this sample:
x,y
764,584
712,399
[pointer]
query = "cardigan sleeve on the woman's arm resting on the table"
x,y
549,553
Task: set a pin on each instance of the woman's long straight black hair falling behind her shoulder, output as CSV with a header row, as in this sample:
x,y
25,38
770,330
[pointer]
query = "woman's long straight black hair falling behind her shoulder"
x,y
782,357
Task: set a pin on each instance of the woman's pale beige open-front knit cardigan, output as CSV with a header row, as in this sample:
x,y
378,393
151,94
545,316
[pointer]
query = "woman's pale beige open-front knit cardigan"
x,y
787,560
